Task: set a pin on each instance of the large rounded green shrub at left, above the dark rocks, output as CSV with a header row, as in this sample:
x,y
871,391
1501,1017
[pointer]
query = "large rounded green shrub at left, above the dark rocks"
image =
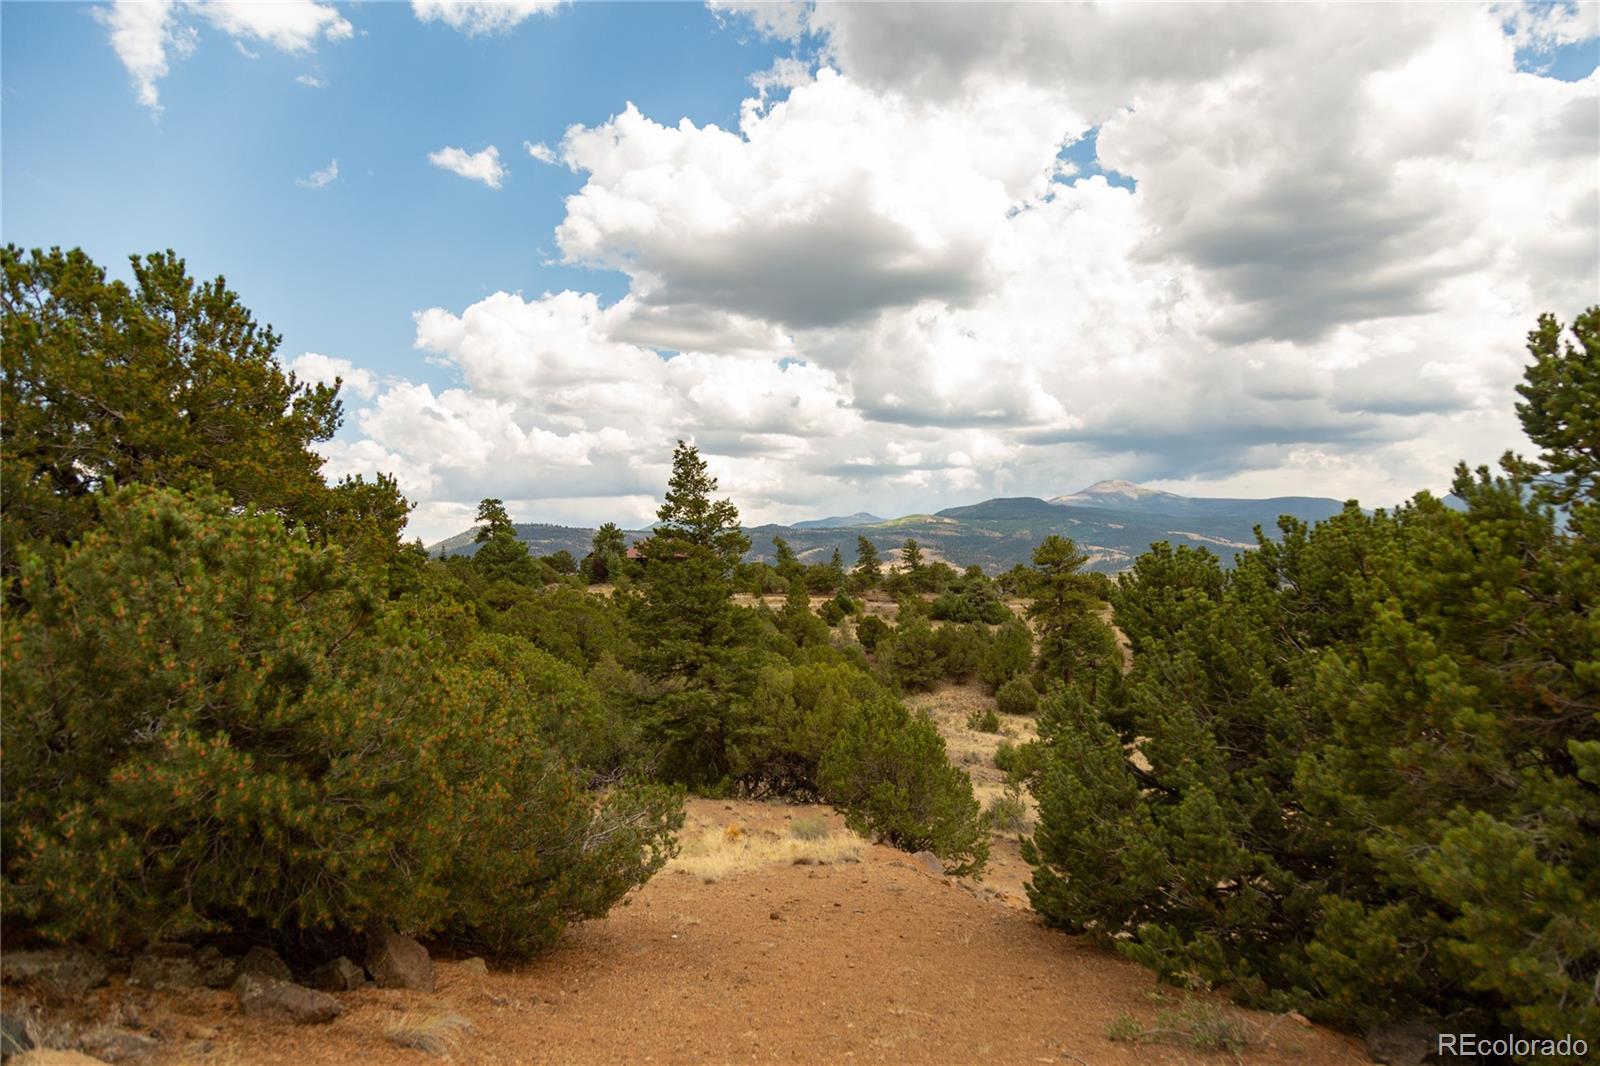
x,y
209,727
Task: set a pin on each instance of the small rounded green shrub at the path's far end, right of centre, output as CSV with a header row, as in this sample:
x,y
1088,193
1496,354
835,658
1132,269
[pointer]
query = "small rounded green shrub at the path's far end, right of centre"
x,y
892,775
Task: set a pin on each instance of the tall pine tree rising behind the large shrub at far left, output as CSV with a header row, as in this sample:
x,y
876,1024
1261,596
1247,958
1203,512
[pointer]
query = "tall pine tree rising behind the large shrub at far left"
x,y
167,382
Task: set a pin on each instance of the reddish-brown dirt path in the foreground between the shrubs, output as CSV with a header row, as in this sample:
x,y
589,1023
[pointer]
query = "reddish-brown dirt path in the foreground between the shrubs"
x,y
871,961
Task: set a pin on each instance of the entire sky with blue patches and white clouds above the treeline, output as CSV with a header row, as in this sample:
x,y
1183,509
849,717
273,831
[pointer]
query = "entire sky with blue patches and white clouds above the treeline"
x,y
878,258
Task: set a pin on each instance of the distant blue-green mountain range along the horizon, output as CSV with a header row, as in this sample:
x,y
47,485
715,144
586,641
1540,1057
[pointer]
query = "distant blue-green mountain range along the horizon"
x,y
1111,521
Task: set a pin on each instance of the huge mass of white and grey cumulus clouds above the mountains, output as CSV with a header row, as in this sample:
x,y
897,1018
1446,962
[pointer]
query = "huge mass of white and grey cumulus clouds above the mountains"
x,y
886,289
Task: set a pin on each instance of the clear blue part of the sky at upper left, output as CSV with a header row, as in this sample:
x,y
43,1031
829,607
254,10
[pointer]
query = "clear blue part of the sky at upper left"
x,y
342,270
